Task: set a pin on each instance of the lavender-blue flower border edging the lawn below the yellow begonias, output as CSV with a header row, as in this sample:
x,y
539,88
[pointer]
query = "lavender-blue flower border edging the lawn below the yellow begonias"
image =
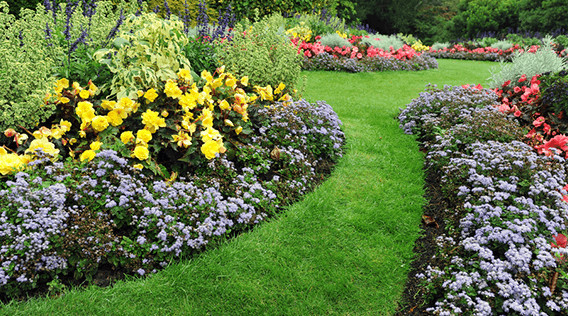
x,y
72,219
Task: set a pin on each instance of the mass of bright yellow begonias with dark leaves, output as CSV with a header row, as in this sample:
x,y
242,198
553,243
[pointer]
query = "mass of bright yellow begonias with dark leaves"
x,y
199,116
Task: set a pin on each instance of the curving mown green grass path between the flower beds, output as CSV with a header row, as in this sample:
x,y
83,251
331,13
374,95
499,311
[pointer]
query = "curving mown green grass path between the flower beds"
x,y
344,249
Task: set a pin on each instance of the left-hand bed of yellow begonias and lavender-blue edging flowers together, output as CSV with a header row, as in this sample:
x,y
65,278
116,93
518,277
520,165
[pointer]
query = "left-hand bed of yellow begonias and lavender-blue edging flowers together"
x,y
132,204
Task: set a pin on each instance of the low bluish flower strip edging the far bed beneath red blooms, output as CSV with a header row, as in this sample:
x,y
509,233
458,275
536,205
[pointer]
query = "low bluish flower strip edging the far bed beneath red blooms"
x,y
326,61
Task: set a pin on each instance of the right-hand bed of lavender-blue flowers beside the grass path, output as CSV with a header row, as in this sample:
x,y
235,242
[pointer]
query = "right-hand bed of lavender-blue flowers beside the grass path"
x,y
500,245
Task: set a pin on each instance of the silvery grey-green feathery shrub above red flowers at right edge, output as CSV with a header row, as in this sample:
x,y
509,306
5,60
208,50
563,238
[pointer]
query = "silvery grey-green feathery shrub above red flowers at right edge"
x,y
529,64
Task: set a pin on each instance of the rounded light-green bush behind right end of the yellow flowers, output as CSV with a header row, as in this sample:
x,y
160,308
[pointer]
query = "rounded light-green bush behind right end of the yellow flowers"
x,y
262,52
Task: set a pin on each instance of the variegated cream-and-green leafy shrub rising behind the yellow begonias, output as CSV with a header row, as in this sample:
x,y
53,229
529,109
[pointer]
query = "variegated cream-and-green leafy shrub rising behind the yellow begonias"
x,y
141,60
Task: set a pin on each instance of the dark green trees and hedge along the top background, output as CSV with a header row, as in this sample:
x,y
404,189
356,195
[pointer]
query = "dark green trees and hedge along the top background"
x,y
429,20
